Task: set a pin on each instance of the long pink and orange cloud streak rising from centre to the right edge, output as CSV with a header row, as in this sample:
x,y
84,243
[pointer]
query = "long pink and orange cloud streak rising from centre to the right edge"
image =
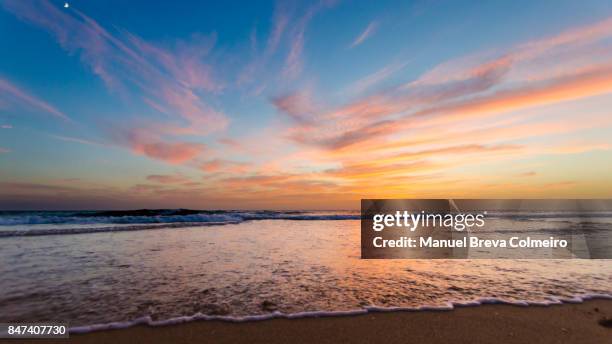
x,y
460,96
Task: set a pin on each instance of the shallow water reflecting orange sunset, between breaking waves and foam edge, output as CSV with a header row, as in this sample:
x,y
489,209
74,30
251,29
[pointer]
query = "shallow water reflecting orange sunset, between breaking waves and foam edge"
x,y
255,267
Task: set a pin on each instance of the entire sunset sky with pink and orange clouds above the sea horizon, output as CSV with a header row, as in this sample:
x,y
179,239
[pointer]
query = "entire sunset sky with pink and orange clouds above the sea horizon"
x,y
301,105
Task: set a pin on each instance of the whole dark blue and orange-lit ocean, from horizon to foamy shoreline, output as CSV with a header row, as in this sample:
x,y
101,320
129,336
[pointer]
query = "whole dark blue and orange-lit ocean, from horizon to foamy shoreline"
x,y
100,269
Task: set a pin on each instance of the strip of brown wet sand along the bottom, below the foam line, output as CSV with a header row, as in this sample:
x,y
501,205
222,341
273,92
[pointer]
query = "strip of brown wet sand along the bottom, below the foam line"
x,y
568,323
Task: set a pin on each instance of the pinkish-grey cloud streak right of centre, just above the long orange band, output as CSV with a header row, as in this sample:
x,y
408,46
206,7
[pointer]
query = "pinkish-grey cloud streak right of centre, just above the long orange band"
x,y
367,116
